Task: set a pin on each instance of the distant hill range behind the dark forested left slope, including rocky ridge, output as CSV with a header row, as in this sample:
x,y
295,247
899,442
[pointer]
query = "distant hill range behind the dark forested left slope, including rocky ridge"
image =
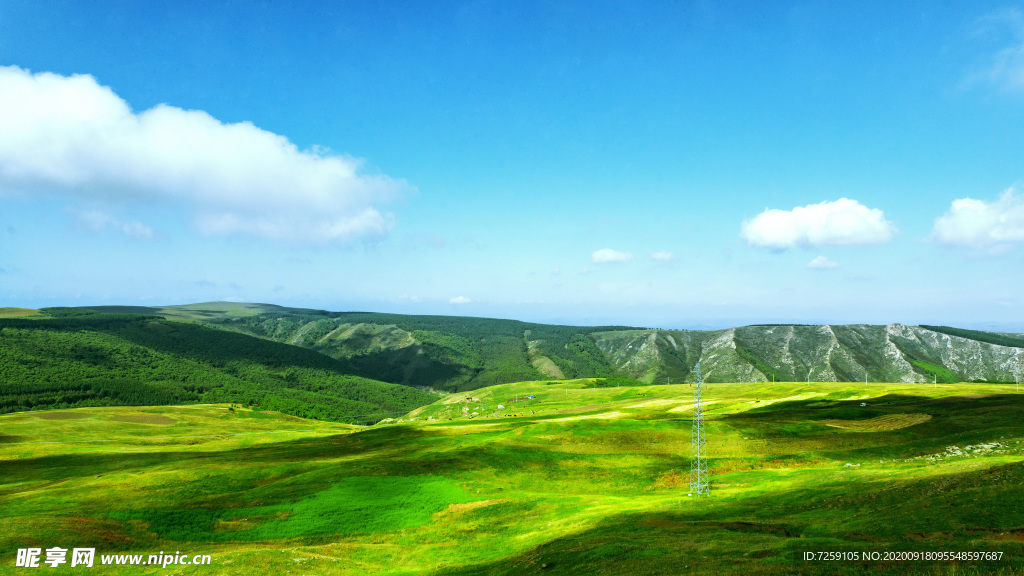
x,y
462,354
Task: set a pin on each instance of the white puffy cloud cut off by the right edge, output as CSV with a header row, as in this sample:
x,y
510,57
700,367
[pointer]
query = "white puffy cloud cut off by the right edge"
x,y
980,225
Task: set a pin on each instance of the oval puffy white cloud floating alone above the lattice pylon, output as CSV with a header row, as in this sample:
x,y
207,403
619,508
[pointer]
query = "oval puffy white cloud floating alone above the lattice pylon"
x,y
843,222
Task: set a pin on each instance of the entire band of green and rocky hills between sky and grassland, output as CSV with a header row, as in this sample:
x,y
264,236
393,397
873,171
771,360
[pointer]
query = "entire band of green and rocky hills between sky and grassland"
x,y
347,366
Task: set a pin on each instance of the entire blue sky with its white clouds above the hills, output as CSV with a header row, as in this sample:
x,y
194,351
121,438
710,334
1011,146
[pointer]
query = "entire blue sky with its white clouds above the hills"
x,y
676,164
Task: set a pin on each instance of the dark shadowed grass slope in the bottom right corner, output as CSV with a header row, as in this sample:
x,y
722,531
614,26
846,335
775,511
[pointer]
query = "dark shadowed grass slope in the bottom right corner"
x,y
772,534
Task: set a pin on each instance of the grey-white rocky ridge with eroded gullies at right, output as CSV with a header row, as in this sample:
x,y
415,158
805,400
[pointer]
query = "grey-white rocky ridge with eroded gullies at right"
x,y
892,353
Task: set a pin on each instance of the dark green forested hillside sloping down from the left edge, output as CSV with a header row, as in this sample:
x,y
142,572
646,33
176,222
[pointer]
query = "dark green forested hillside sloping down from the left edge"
x,y
70,358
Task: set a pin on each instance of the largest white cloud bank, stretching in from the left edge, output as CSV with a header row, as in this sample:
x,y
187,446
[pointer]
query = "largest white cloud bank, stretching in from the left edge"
x,y
73,137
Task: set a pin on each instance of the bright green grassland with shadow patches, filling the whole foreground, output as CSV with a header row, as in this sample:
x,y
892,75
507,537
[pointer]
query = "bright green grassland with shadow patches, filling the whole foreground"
x,y
582,479
